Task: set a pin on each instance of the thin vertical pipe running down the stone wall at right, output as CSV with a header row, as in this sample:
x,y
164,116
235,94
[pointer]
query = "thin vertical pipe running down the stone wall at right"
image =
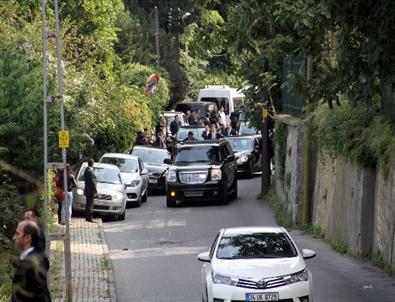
x,y
306,155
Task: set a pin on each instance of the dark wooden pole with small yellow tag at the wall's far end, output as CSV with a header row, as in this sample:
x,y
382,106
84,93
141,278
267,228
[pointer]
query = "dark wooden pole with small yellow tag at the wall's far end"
x,y
266,173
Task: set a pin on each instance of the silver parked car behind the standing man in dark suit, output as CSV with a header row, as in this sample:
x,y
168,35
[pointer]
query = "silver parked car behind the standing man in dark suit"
x,y
111,199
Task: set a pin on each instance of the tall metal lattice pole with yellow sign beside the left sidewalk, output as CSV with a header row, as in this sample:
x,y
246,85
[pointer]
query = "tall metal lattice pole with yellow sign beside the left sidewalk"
x,y
63,135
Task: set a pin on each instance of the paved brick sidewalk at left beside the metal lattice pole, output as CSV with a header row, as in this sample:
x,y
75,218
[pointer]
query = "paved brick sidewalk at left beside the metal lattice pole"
x,y
91,269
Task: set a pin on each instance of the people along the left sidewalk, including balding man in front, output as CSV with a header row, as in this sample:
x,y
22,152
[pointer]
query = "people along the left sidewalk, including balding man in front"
x,y
31,270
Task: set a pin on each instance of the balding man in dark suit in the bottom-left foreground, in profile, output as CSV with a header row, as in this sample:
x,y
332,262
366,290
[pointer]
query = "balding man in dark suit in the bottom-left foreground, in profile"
x,y
30,280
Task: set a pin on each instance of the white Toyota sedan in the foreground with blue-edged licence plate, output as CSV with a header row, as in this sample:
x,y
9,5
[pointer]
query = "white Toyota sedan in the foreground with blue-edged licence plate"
x,y
255,264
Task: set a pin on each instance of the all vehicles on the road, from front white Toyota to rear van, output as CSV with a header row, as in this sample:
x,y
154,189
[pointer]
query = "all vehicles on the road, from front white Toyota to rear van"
x,y
244,263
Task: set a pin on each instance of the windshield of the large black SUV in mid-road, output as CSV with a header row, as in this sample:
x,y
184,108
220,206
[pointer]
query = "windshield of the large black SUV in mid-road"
x,y
203,153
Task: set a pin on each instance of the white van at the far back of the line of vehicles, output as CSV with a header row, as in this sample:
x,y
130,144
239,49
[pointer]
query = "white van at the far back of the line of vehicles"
x,y
230,98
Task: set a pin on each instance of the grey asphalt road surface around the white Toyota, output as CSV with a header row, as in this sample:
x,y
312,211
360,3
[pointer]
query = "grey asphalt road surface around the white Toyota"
x,y
154,252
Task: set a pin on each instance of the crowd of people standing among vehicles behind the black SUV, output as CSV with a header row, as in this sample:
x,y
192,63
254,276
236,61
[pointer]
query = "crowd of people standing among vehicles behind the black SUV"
x,y
215,127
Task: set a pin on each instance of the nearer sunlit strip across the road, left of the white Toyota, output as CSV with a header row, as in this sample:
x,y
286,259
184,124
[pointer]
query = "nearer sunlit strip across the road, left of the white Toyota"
x,y
156,252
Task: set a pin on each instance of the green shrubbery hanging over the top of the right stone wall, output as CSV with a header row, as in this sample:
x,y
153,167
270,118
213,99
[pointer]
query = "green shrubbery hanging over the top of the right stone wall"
x,y
355,133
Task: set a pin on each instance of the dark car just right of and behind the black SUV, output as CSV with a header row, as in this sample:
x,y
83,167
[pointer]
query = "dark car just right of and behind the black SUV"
x,y
248,152
